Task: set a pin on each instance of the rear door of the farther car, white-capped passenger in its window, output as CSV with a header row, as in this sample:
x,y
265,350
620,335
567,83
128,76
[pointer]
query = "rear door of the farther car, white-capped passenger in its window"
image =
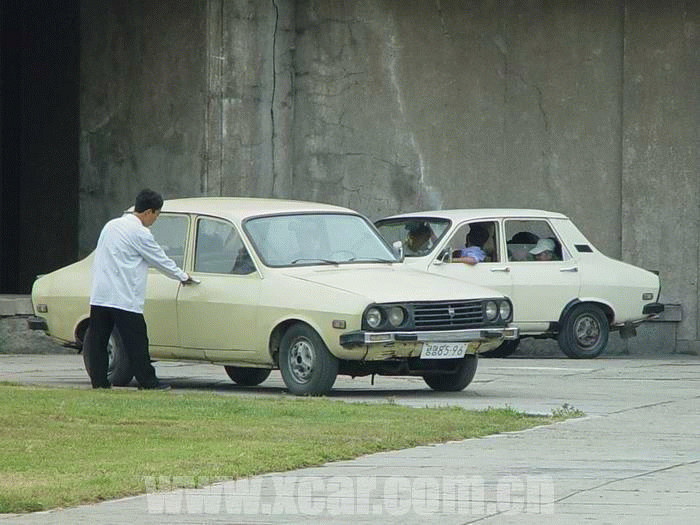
x,y
540,288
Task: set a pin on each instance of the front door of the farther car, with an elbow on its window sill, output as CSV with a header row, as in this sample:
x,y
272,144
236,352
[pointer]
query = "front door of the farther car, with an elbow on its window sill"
x,y
491,273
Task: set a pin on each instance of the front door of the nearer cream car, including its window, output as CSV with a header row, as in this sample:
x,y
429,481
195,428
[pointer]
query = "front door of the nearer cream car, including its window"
x,y
219,315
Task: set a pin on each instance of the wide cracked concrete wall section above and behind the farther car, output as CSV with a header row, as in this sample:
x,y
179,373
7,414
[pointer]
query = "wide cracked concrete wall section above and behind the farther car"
x,y
410,105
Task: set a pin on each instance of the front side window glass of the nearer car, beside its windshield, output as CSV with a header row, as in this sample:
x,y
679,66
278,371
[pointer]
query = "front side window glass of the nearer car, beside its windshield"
x,y
219,249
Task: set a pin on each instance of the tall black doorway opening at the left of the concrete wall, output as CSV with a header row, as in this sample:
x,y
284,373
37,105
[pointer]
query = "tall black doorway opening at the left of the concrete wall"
x,y
39,74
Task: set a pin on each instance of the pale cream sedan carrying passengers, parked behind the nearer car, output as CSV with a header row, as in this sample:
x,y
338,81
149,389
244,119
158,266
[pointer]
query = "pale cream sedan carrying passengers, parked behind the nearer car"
x,y
561,286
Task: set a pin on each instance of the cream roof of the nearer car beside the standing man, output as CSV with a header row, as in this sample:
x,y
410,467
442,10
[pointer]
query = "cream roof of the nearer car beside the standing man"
x,y
241,208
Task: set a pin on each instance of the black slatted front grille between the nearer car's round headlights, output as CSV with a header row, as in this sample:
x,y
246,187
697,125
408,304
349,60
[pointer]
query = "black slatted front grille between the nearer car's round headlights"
x,y
448,315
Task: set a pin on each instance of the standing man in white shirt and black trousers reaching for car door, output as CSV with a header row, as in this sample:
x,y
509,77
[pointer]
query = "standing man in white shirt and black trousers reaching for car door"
x,y
125,250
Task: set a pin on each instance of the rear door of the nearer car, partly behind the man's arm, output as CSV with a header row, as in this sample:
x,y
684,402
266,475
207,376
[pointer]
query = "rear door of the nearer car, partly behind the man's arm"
x,y
170,232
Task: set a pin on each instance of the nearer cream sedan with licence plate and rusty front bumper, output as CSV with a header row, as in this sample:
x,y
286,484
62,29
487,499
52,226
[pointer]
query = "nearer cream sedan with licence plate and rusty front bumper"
x,y
308,288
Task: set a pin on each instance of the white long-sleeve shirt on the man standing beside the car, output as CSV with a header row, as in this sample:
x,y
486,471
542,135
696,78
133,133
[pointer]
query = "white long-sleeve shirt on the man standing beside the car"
x,y
125,250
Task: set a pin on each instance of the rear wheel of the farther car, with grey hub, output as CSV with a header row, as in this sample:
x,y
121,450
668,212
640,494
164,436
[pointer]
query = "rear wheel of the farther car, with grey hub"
x,y
584,332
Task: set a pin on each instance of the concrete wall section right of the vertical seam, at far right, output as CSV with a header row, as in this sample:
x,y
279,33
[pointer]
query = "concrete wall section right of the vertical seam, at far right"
x,y
661,181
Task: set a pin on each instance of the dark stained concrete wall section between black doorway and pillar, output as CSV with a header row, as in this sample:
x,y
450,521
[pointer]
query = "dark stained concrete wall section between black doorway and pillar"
x,y
143,100
